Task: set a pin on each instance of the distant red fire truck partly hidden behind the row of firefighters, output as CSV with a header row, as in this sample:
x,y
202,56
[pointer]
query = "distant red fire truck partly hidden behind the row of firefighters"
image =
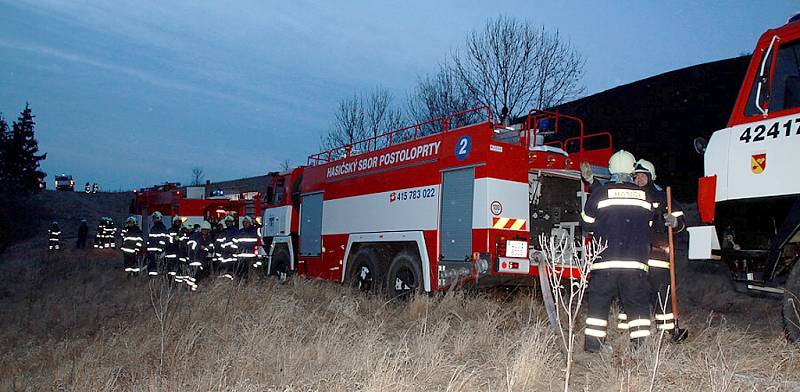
x,y
191,204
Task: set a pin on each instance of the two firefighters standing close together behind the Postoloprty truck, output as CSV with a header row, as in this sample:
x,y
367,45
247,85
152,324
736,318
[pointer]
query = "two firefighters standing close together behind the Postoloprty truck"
x,y
629,214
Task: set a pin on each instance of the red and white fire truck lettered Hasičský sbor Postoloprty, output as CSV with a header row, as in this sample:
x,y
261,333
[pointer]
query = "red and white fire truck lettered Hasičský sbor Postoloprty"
x,y
433,205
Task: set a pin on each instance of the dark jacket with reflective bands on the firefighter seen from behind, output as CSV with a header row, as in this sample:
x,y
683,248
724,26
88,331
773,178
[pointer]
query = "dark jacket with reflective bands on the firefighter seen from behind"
x,y
620,213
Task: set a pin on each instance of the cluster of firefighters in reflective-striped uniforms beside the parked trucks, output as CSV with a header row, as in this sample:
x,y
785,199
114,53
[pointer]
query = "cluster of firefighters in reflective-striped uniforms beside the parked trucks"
x,y
188,253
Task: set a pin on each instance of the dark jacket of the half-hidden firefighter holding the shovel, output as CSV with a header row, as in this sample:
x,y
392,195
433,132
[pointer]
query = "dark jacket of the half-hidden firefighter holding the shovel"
x,y
659,237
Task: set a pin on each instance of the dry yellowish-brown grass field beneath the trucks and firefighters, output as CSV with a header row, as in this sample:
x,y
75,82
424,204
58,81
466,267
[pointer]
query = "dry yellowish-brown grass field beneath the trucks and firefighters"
x,y
73,322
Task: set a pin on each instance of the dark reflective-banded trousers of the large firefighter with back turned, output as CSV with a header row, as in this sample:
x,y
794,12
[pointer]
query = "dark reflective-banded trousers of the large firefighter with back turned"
x,y
632,288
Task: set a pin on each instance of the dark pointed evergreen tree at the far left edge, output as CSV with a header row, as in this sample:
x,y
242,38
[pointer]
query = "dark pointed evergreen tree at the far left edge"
x,y
20,157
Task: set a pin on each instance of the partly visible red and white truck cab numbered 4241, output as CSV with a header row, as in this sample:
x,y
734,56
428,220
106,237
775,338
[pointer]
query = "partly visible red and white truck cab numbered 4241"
x,y
749,198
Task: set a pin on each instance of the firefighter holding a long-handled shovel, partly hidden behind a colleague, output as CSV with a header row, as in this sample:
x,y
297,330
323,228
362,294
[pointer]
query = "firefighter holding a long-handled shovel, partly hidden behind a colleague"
x,y
658,261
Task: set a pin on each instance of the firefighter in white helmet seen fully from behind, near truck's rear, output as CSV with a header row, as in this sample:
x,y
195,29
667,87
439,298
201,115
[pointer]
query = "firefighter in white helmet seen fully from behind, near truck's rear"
x,y
619,213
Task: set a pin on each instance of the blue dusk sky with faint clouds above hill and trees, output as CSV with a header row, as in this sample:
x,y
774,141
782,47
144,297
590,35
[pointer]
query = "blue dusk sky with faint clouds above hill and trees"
x,y
135,93
